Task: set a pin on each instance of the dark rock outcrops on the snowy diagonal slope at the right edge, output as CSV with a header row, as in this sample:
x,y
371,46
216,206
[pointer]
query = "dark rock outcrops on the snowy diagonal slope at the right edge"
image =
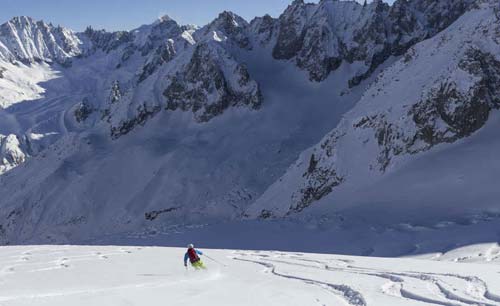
x,y
446,113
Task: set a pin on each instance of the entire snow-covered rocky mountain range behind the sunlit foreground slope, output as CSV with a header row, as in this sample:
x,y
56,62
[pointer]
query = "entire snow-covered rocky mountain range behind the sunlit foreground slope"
x,y
106,133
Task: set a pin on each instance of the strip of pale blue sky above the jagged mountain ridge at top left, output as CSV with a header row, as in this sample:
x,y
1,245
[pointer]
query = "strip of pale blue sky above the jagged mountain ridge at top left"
x,y
129,14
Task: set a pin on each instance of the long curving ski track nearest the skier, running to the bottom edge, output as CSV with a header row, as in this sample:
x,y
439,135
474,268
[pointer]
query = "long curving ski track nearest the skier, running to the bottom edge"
x,y
352,296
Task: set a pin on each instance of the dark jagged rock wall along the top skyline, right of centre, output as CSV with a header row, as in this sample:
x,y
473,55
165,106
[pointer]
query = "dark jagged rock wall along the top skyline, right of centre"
x,y
319,37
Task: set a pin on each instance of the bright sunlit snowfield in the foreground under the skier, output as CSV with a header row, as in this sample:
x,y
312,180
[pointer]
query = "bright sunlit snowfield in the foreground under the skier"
x,y
90,275
